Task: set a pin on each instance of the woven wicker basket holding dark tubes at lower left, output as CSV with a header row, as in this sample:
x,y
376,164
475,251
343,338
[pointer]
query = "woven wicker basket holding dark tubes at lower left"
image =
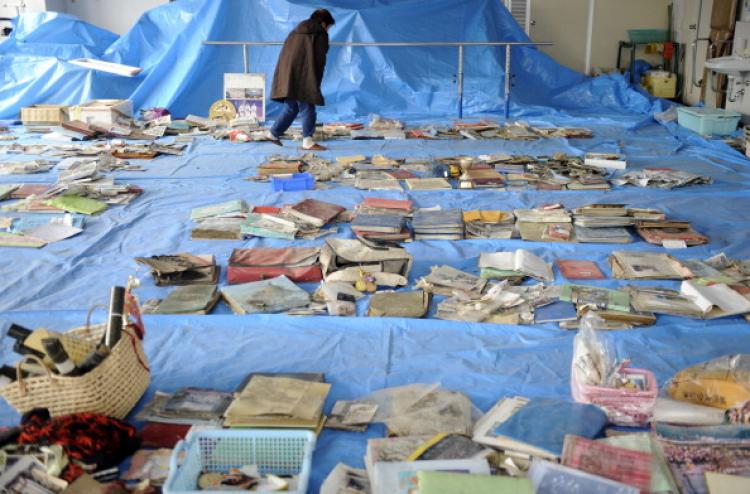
x,y
113,388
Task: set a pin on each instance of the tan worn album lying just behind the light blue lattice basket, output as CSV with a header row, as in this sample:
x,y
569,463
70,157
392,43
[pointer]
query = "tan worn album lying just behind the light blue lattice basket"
x,y
278,402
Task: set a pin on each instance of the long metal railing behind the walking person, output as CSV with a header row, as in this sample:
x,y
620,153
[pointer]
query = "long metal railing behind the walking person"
x,y
459,75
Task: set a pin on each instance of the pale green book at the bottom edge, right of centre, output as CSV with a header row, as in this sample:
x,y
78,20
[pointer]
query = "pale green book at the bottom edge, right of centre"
x,y
461,483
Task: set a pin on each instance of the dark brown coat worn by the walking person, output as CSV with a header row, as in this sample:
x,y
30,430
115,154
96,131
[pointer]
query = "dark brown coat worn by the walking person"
x,y
299,71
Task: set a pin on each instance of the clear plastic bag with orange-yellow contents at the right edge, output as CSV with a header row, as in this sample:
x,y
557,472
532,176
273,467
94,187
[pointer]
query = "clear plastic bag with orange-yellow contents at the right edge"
x,y
723,382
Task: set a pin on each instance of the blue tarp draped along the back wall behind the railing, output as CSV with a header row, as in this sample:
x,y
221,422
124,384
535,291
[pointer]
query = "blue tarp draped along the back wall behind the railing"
x,y
186,76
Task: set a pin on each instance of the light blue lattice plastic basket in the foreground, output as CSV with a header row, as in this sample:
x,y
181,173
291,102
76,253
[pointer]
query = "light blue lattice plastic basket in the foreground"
x,y
278,452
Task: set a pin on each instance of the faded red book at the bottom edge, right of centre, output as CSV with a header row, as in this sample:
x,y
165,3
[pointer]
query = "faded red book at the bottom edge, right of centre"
x,y
619,464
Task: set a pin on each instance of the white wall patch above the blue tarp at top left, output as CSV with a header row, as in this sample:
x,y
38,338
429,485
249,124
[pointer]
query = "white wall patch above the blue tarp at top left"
x,y
115,15
